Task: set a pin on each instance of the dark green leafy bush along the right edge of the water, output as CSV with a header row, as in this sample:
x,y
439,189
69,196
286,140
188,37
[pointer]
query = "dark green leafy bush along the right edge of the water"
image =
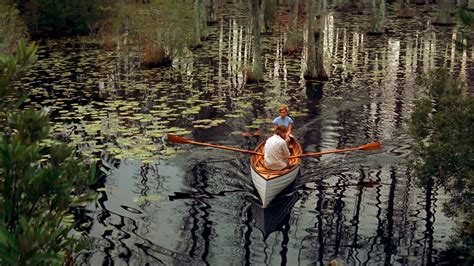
x,y
442,125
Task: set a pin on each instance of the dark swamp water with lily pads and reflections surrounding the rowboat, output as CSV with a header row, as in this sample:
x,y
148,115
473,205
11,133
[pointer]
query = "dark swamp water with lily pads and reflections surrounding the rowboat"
x,y
198,206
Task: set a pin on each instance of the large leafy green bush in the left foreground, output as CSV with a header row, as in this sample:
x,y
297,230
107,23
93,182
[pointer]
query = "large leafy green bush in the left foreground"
x,y
40,180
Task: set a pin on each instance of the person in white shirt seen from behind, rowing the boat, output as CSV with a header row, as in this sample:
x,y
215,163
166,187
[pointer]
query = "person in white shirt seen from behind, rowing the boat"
x,y
275,151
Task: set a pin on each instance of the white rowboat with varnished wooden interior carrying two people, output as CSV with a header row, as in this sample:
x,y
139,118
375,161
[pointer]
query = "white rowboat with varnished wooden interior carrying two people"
x,y
270,183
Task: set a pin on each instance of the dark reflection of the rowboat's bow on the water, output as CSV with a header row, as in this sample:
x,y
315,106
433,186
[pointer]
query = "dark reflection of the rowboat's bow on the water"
x,y
276,215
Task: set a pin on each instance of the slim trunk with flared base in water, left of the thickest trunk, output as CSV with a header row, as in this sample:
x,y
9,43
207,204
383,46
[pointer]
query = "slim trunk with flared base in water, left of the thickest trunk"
x,y
256,73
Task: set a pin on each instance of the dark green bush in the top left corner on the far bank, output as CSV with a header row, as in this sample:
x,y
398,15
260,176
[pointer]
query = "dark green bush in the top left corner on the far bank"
x,y
62,18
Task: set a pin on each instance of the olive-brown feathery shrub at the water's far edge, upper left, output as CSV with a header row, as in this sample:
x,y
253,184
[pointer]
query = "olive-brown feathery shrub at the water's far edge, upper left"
x,y
158,31
